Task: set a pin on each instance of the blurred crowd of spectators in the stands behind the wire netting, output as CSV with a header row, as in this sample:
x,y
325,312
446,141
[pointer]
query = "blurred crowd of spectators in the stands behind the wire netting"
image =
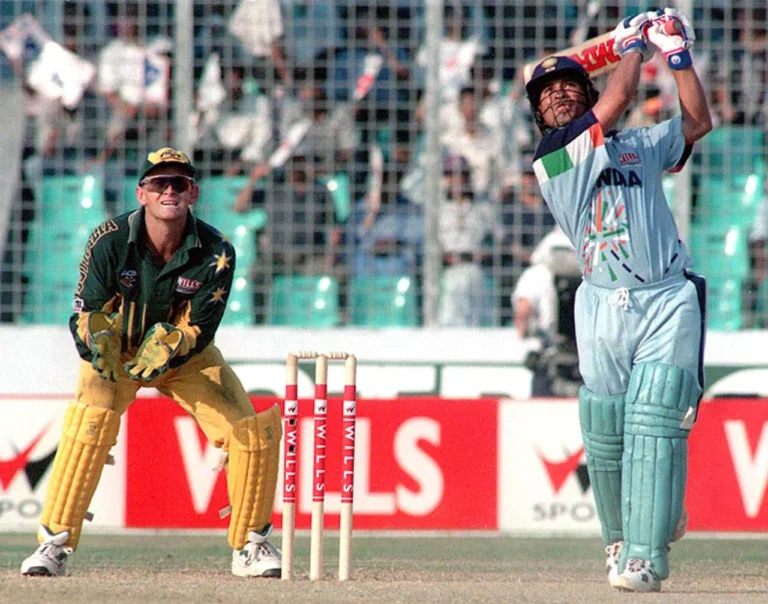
x,y
312,115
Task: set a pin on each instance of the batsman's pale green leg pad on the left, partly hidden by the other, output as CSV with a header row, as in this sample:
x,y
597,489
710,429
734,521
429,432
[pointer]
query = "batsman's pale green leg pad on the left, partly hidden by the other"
x,y
602,431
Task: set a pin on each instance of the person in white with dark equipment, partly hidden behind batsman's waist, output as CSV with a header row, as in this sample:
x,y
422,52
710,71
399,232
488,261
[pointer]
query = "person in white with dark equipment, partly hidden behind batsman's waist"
x,y
543,305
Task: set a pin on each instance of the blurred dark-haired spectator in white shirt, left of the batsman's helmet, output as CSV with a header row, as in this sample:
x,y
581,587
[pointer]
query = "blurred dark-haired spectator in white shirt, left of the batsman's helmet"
x,y
477,143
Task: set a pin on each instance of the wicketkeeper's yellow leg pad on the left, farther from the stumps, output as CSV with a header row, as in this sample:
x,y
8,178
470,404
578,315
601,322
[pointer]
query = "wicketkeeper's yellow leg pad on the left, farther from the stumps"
x,y
87,436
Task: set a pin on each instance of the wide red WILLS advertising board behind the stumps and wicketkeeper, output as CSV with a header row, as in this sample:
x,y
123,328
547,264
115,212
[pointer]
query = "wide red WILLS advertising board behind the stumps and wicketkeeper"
x,y
421,463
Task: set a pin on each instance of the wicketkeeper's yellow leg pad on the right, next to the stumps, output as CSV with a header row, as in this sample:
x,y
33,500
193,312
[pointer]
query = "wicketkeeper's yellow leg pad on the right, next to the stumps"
x,y
254,459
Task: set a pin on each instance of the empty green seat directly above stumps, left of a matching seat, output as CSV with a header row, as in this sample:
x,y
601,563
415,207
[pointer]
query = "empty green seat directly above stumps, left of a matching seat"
x,y
304,301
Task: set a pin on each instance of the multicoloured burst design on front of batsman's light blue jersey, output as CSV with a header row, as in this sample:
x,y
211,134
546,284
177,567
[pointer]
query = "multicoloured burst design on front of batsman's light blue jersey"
x,y
607,235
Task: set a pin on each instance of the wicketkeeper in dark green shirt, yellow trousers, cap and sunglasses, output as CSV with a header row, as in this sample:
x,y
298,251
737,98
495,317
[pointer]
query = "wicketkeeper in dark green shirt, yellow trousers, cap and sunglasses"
x,y
153,288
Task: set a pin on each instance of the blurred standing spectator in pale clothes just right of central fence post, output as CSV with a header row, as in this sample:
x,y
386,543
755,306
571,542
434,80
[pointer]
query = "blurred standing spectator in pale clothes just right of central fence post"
x,y
465,225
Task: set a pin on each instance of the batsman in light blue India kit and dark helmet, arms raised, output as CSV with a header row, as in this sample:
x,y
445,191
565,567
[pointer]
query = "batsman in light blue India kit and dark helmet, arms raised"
x,y
640,313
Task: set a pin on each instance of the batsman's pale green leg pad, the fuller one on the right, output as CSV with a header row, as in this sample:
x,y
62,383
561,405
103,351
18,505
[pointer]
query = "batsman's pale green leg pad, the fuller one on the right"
x,y
660,404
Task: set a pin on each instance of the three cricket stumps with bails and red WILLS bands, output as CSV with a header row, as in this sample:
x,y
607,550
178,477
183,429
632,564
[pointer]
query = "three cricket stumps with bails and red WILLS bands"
x,y
290,461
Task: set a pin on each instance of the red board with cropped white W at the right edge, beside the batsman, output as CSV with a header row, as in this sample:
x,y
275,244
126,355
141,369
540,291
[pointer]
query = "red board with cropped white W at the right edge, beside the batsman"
x,y
728,467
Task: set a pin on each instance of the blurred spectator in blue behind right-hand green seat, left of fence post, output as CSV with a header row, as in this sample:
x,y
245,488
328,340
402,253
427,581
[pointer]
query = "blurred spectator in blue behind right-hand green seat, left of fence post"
x,y
386,229
